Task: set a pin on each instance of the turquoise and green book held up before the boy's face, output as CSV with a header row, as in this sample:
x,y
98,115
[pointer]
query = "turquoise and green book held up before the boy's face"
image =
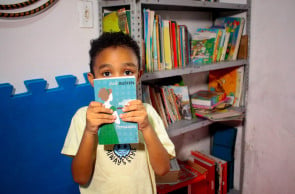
x,y
115,93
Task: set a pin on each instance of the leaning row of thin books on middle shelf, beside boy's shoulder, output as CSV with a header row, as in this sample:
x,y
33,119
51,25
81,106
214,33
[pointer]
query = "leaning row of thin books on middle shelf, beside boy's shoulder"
x,y
171,102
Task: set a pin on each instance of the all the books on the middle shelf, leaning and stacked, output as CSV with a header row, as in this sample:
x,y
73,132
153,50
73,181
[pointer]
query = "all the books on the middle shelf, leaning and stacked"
x,y
220,102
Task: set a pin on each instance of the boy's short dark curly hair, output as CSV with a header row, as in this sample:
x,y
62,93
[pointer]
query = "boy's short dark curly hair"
x,y
112,39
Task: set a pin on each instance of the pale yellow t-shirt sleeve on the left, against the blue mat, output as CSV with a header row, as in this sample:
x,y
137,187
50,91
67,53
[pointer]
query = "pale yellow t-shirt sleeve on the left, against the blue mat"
x,y
75,133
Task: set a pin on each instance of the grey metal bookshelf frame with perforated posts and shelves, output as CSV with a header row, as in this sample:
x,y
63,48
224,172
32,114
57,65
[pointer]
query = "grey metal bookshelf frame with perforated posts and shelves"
x,y
193,7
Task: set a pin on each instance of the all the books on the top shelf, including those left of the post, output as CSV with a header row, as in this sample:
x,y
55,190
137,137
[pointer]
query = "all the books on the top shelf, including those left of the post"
x,y
169,45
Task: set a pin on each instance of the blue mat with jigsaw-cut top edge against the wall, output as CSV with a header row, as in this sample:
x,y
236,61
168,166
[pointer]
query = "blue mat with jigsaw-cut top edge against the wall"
x,y
33,127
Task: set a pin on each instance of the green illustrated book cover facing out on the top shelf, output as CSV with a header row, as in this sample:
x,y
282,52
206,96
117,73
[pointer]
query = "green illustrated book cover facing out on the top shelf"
x,y
202,47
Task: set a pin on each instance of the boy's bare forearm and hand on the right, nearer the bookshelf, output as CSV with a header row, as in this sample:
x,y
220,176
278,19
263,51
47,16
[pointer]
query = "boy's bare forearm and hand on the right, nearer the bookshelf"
x,y
159,158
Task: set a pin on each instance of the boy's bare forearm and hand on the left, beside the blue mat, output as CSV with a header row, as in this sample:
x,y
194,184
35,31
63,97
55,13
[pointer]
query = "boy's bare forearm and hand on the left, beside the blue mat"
x,y
83,161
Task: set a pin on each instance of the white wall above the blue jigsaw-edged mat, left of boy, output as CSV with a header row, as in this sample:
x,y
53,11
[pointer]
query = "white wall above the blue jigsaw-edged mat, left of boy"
x,y
44,46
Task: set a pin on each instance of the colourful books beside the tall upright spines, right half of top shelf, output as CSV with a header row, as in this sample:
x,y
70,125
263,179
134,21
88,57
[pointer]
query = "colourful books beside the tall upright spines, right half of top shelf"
x,y
217,43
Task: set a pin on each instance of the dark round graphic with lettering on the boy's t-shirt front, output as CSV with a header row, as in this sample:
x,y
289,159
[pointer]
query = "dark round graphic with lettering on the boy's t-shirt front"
x,y
121,154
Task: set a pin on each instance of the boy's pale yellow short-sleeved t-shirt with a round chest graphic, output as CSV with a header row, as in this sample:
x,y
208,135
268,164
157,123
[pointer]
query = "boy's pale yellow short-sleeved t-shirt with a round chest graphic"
x,y
121,168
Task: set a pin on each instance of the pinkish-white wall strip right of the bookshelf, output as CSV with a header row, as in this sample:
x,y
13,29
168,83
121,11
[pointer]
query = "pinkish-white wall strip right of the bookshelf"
x,y
270,135
